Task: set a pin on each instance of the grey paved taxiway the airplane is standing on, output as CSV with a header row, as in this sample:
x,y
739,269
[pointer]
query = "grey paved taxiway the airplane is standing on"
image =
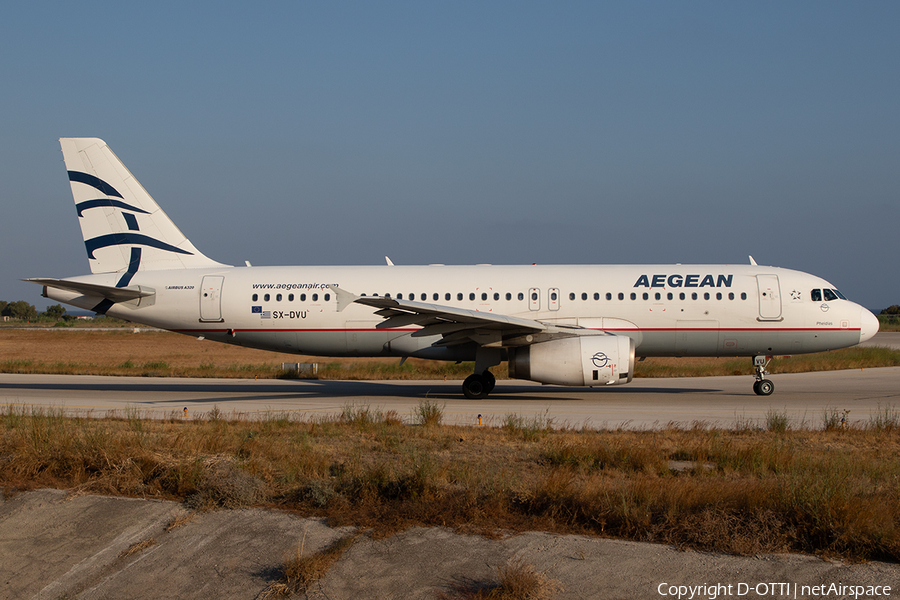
x,y
643,404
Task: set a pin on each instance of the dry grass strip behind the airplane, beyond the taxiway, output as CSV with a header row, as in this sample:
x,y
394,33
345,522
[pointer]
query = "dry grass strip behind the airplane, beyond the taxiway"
x,y
156,353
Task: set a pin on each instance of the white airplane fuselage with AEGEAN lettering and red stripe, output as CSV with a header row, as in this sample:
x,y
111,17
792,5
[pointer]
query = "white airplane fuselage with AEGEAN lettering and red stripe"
x,y
668,310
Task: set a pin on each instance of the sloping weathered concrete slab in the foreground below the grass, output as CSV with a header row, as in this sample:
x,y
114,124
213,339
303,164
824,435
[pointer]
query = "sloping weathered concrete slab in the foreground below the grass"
x,y
56,546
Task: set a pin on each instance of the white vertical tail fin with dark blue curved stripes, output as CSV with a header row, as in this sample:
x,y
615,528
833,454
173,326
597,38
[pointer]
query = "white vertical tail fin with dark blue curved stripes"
x,y
124,229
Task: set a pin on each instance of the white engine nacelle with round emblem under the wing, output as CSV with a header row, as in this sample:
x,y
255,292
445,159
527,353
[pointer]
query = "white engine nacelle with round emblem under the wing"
x,y
585,360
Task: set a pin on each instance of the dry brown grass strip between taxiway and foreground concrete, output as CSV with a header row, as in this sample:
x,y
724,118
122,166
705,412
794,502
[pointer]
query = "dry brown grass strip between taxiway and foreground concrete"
x,y
743,491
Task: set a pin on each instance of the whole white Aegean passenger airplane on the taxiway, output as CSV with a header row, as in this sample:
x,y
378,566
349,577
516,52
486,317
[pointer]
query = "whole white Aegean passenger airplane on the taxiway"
x,y
570,325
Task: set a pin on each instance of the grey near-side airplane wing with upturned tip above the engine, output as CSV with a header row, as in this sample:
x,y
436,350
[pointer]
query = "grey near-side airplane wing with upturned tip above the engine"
x,y
460,325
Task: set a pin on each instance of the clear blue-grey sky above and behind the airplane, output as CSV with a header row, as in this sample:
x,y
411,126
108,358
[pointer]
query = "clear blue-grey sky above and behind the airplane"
x,y
467,132
